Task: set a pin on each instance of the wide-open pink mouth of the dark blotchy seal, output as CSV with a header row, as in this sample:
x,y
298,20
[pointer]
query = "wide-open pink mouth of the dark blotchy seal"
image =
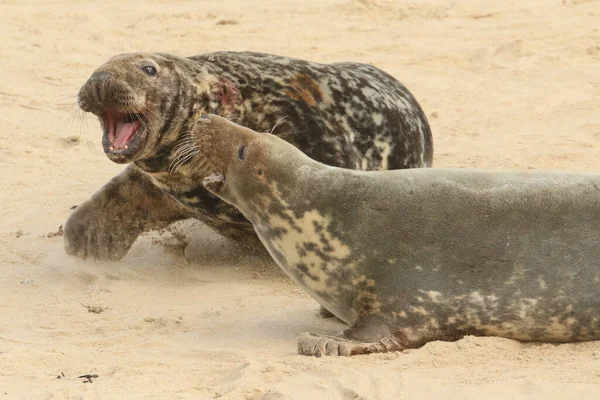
x,y
122,135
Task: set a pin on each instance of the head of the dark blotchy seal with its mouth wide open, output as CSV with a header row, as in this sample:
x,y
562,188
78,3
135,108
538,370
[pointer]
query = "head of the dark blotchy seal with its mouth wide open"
x,y
132,95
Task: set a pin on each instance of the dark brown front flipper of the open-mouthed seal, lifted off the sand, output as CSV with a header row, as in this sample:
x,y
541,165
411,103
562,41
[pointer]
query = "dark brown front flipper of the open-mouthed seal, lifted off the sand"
x,y
105,226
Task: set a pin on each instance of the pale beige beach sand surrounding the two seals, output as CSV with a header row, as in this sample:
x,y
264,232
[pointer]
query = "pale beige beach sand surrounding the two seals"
x,y
512,84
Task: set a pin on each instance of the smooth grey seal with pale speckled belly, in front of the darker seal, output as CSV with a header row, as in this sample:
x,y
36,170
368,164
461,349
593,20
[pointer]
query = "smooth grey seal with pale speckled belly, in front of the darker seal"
x,y
410,256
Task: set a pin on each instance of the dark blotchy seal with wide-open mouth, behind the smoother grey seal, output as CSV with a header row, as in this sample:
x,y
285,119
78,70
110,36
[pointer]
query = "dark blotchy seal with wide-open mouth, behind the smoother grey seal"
x,y
147,103
